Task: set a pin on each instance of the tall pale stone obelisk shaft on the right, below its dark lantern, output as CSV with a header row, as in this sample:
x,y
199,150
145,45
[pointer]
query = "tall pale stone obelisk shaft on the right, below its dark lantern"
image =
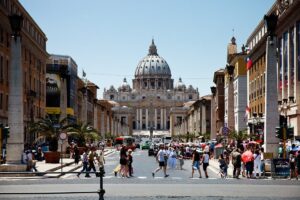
x,y
271,106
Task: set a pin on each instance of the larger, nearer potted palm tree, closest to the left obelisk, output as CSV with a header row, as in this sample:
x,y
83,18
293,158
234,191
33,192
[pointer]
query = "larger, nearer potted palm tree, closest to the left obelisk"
x,y
49,129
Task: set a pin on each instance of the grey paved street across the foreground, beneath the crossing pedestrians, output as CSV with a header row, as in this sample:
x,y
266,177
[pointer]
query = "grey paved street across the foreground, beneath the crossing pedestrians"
x,y
143,185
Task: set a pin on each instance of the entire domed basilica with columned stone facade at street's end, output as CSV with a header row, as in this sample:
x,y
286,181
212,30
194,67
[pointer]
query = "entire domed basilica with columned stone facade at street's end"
x,y
148,104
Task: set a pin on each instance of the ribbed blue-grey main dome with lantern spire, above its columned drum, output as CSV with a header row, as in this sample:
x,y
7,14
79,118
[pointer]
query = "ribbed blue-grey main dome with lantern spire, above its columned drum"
x,y
152,65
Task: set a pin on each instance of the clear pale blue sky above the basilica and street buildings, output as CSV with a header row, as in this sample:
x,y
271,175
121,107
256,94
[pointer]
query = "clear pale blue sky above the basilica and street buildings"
x,y
108,38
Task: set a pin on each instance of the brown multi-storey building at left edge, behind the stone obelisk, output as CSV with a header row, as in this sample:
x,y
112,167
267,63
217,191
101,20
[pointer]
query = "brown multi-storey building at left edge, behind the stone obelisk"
x,y
33,58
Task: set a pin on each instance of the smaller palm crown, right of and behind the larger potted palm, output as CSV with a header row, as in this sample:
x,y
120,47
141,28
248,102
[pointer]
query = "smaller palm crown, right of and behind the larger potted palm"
x,y
82,133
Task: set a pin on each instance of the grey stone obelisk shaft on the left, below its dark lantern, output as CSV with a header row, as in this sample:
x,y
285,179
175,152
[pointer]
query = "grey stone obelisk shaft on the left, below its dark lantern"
x,y
15,142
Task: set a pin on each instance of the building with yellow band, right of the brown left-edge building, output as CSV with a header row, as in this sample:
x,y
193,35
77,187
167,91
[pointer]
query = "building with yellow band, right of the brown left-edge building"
x,y
61,87
